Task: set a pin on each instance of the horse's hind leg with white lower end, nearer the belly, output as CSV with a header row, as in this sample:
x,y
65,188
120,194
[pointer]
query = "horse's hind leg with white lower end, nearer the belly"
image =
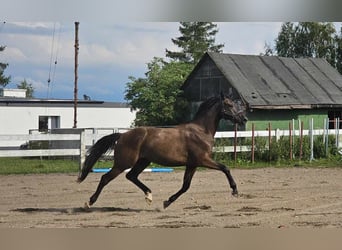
x,y
132,175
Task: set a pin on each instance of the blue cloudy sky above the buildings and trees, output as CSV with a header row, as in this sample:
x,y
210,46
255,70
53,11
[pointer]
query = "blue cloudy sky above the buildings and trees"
x,y
109,52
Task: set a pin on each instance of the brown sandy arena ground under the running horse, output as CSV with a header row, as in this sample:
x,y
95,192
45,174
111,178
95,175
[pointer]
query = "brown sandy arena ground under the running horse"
x,y
269,198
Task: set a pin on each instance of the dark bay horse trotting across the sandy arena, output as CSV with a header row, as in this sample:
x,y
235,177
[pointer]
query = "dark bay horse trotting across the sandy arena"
x,y
188,145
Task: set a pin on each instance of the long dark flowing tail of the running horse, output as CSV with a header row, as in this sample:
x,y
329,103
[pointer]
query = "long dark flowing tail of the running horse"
x,y
95,152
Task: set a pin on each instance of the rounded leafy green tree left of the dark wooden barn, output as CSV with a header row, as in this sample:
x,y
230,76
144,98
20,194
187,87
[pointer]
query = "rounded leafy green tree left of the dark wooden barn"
x,y
155,96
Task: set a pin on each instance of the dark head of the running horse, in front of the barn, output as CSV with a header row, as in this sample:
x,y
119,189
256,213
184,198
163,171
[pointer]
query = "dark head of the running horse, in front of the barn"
x,y
233,111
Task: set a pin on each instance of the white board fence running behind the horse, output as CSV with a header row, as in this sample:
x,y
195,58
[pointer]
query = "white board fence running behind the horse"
x,y
84,138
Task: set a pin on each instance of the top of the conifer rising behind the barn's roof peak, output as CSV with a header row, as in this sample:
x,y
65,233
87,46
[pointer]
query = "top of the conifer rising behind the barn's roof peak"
x,y
196,38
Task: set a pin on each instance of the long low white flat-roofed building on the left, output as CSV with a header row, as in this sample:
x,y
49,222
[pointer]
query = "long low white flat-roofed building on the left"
x,y
20,115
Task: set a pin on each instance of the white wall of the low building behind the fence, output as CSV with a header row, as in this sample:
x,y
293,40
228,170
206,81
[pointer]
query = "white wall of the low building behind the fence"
x,y
19,120
